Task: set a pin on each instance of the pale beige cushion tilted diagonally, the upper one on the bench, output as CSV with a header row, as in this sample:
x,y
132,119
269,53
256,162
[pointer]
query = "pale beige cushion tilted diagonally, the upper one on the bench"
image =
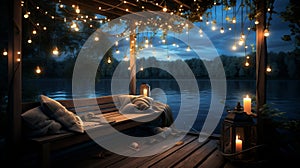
x,y
58,112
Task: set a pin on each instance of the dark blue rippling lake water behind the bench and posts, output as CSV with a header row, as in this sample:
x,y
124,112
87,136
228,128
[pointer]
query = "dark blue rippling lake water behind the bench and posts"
x,y
281,94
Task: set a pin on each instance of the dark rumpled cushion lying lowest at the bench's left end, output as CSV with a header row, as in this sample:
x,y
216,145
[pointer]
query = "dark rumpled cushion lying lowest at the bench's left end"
x,y
40,124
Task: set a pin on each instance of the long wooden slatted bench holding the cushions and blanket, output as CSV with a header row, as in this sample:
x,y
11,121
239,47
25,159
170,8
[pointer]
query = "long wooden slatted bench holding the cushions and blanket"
x,y
45,145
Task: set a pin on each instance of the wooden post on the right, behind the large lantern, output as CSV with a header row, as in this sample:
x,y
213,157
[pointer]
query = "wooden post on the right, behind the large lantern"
x,y
261,57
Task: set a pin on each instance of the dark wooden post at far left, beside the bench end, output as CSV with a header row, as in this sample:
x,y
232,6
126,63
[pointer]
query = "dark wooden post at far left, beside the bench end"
x,y
14,81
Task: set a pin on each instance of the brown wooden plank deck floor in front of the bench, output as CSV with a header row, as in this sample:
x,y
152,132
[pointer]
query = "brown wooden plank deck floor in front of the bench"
x,y
190,154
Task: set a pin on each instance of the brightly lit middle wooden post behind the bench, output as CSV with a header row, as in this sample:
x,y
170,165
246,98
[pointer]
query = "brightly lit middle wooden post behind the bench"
x,y
132,84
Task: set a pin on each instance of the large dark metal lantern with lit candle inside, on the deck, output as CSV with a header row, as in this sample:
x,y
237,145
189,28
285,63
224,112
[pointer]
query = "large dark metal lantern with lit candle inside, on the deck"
x,y
238,134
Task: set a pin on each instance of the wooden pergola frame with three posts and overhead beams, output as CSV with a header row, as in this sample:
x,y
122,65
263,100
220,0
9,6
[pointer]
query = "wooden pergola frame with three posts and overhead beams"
x,y
15,63
